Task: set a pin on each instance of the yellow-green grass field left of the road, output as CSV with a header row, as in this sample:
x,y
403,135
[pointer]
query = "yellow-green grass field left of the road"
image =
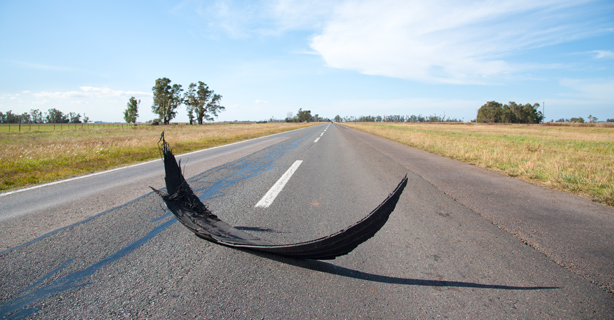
x,y
35,157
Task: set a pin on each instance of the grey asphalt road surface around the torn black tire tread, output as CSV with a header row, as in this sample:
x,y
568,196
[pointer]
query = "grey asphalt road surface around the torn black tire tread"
x,y
462,243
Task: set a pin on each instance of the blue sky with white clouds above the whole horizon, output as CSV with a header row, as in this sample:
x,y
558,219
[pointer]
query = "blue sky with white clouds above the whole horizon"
x,y
347,58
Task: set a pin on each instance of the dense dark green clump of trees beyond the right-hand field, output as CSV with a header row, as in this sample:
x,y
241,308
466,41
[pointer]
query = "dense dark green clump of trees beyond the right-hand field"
x,y
495,112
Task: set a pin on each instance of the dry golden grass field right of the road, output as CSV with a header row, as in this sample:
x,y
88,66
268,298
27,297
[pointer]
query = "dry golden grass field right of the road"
x,y
569,158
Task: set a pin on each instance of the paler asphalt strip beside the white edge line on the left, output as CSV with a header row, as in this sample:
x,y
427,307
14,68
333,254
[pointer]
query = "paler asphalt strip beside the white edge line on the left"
x,y
28,213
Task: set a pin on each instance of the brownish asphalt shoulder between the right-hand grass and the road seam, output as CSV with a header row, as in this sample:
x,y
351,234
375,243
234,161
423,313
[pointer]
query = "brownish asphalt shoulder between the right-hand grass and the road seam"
x,y
573,231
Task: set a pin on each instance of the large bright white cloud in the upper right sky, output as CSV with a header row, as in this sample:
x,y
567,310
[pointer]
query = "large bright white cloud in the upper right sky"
x,y
443,41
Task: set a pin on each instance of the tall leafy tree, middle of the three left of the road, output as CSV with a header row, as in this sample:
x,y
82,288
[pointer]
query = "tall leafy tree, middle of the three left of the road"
x,y
167,99
